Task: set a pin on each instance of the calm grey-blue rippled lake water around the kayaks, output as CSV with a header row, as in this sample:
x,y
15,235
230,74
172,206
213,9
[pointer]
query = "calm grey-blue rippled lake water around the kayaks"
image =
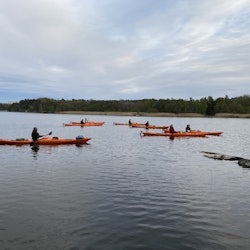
x,y
123,191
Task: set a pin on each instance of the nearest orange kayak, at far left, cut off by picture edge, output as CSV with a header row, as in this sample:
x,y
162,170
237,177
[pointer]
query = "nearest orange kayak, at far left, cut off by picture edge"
x,y
46,141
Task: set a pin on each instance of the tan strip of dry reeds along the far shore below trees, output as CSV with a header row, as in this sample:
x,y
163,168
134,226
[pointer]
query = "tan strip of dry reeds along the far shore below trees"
x,y
219,115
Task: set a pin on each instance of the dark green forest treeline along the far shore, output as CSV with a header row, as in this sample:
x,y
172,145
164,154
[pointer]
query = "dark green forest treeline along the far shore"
x,y
205,106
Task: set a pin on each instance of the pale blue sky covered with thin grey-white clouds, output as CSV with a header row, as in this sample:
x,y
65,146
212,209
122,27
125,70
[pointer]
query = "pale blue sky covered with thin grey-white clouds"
x,y
124,49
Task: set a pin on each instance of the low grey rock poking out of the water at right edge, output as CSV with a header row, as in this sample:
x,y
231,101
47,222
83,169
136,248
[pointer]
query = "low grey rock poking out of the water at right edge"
x,y
245,163
